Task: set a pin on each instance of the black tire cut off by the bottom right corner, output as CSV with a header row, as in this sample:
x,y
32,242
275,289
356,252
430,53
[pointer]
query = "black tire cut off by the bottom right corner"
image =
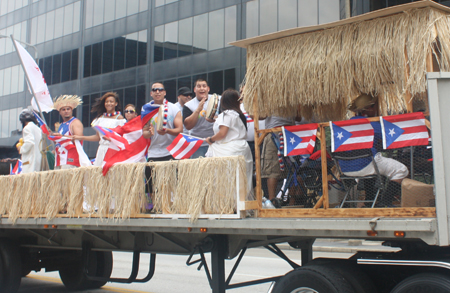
x,y
424,282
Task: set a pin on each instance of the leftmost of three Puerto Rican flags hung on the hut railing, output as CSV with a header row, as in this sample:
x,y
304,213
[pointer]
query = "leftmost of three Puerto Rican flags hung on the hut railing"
x,y
299,139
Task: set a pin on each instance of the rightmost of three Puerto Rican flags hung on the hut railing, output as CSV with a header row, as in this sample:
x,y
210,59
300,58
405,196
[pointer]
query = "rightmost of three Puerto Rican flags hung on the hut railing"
x,y
404,130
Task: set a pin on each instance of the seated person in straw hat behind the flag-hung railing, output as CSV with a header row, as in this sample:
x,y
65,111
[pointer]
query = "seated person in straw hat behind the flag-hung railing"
x,y
363,106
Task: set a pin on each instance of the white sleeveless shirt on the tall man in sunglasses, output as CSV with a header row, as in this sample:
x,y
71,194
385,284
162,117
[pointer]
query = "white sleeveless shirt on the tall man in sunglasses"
x,y
159,142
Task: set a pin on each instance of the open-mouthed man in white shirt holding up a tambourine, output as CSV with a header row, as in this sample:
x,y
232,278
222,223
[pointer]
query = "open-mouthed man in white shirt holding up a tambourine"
x,y
194,116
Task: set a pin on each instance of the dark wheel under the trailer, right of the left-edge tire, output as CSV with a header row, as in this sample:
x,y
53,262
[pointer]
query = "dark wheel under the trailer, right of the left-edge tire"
x,y
100,265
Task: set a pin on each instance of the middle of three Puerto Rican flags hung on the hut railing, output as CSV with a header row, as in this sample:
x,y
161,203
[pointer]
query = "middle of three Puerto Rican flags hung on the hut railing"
x,y
353,134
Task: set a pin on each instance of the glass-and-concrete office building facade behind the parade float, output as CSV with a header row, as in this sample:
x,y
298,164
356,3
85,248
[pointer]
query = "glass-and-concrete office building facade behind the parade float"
x,y
89,47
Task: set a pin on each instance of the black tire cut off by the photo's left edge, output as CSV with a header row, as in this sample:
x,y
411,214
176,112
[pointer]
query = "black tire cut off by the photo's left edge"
x,y
10,267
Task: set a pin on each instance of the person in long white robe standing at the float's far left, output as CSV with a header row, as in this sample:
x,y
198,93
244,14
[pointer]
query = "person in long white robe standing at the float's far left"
x,y
32,135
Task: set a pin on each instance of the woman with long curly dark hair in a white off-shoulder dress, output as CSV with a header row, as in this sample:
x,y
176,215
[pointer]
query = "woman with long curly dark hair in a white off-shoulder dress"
x,y
109,116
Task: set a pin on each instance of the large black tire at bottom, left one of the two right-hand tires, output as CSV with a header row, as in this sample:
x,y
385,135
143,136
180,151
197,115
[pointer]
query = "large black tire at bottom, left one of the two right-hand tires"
x,y
315,278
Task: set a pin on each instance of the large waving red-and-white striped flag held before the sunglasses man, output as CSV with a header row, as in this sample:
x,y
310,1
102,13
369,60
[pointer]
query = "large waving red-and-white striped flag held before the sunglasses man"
x,y
127,144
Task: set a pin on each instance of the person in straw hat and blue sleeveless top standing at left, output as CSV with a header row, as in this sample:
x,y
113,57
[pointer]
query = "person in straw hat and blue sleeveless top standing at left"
x,y
67,154
